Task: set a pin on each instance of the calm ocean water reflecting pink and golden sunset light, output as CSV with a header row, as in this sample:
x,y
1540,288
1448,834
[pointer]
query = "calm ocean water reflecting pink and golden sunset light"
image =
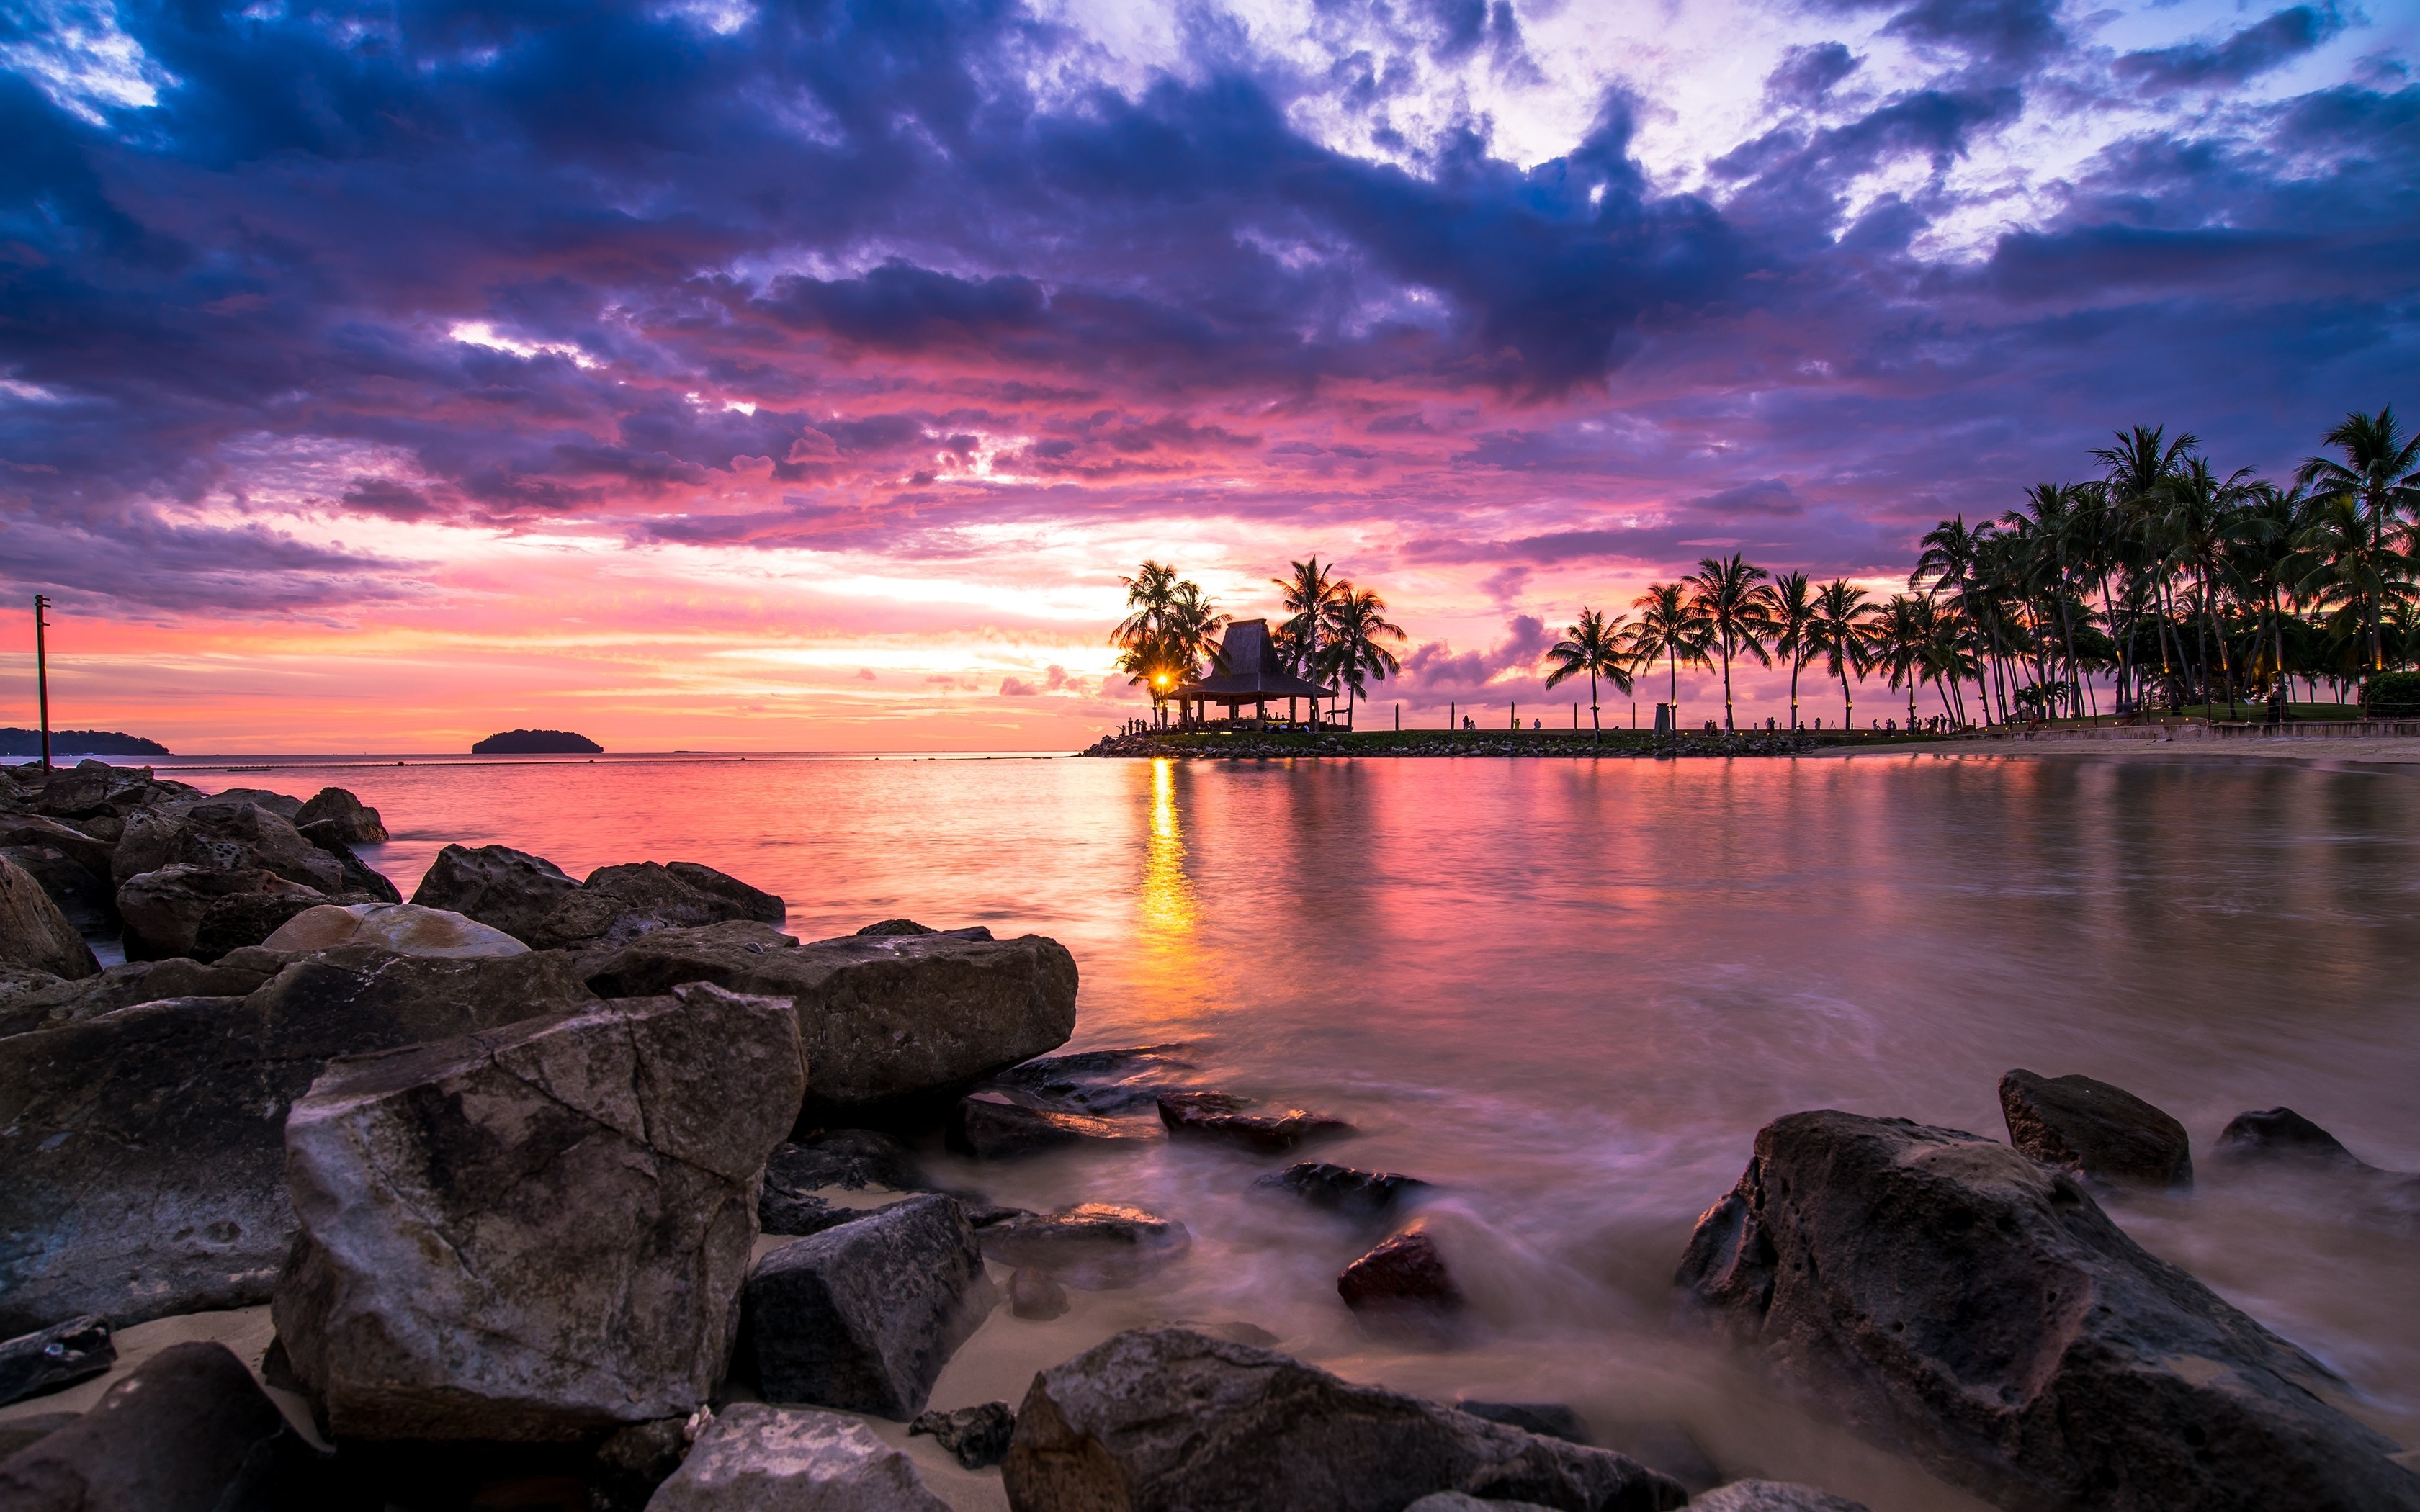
x,y
1569,993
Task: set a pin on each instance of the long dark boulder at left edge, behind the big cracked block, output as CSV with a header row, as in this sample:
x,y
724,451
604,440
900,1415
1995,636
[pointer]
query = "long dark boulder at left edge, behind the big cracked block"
x,y
142,1150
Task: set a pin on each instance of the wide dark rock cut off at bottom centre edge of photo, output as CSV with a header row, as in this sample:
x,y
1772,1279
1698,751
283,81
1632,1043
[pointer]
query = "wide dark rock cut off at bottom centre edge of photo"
x,y
1177,1421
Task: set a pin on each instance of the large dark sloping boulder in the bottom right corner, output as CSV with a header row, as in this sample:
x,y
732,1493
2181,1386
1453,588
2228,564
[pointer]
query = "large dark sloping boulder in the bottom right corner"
x,y
1959,1300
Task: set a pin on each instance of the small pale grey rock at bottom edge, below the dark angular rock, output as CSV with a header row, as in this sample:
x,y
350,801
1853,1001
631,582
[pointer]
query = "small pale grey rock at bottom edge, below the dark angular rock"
x,y
788,1460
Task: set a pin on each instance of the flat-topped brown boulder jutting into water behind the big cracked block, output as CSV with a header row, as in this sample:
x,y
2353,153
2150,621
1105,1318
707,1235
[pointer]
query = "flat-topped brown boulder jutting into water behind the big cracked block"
x,y
889,1022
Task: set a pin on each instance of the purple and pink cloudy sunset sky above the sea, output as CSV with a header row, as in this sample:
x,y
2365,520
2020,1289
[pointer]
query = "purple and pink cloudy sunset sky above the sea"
x,y
749,376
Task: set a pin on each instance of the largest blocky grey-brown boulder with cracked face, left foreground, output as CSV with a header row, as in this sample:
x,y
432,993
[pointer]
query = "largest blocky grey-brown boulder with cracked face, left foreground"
x,y
577,1194
